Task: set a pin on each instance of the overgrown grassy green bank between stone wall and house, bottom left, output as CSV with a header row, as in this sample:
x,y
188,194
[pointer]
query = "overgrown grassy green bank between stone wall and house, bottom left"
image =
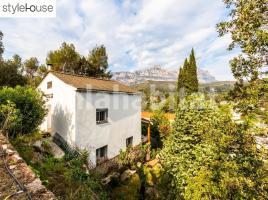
x,y
67,178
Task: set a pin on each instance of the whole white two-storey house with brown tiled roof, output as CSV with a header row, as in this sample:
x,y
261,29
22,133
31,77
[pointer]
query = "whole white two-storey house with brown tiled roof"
x,y
102,116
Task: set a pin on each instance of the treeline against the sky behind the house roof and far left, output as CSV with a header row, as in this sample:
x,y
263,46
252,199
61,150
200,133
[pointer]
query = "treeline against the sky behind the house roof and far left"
x,y
30,72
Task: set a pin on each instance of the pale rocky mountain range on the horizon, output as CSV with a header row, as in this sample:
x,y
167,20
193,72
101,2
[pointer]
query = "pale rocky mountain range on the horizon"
x,y
157,73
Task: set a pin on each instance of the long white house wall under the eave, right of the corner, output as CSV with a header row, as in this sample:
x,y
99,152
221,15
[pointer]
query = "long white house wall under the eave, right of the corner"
x,y
124,121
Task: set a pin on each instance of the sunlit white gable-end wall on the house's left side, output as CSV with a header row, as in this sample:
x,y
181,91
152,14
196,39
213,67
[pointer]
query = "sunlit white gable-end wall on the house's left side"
x,y
62,108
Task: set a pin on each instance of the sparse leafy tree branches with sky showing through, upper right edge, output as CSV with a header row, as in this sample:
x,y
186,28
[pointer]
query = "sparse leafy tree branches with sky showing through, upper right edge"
x,y
248,28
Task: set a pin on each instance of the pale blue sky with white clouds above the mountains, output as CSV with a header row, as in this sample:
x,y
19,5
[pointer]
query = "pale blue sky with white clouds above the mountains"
x,y
137,33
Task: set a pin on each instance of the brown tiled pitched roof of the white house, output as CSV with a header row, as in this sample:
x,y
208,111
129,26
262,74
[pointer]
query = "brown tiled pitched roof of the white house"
x,y
93,84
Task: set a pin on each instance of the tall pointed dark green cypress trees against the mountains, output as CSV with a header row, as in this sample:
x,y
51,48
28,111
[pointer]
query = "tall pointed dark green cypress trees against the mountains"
x,y
187,78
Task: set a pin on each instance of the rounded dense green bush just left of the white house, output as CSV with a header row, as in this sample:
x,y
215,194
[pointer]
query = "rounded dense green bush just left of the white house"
x,y
30,104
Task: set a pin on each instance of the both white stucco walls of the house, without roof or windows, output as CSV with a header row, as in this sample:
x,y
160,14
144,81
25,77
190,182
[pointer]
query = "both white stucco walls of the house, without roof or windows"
x,y
74,117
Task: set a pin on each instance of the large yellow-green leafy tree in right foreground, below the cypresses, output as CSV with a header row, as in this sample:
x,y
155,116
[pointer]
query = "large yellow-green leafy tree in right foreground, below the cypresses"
x,y
211,157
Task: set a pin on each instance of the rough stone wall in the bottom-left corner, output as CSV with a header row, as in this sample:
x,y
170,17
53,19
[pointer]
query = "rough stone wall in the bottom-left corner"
x,y
23,174
